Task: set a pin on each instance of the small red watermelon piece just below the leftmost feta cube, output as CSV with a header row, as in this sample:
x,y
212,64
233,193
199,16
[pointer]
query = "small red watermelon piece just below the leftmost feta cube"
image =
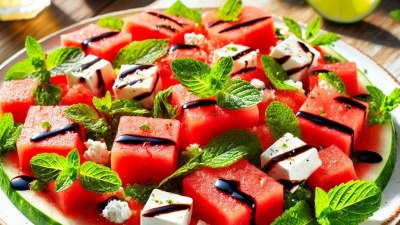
x,y
79,93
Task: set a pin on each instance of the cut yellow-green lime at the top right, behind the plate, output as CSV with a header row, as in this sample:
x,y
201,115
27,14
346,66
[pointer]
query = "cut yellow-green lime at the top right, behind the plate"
x,y
344,11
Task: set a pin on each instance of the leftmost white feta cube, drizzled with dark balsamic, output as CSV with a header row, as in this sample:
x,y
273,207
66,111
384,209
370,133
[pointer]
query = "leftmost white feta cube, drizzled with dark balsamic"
x,y
95,73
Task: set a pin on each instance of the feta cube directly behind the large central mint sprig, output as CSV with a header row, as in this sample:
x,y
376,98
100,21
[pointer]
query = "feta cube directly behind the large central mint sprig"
x,y
244,58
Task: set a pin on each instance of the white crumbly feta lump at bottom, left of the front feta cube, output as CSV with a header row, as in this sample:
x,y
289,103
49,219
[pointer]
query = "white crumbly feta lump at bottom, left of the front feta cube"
x,y
117,211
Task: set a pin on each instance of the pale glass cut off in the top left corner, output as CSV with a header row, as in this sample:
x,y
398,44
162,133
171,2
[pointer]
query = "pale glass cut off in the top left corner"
x,y
21,9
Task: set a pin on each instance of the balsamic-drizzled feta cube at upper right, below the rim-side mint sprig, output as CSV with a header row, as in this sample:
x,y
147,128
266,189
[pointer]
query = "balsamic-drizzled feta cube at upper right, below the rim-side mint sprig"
x,y
296,57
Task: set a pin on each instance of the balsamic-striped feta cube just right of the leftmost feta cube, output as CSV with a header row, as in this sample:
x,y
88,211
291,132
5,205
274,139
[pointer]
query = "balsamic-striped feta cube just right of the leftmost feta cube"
x,y
138,82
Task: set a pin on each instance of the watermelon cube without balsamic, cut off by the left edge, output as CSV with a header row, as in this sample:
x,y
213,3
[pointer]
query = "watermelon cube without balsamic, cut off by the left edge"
x,y
16,97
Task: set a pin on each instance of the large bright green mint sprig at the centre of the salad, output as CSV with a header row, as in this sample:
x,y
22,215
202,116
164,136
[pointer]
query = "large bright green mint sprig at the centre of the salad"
x,y
205,82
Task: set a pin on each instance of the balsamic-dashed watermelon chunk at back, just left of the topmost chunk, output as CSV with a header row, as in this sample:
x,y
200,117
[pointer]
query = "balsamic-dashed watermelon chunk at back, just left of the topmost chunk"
x,y
156,25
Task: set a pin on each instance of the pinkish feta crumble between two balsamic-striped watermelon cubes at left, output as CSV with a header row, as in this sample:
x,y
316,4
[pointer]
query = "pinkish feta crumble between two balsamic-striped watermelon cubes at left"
x,y
97,152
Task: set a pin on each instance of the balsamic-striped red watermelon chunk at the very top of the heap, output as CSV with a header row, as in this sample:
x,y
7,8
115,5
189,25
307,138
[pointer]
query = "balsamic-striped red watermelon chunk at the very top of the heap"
x,y
258,22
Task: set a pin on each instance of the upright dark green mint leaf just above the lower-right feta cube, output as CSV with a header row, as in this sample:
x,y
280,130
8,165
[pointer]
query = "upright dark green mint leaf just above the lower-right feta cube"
x,y
281,119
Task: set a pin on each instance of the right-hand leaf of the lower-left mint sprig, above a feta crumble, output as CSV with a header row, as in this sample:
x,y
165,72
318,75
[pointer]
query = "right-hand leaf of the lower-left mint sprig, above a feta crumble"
x,y
98,178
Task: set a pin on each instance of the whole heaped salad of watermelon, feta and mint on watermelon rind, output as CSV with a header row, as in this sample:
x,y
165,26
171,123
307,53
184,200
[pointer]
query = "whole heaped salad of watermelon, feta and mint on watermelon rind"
x,y
183,117
